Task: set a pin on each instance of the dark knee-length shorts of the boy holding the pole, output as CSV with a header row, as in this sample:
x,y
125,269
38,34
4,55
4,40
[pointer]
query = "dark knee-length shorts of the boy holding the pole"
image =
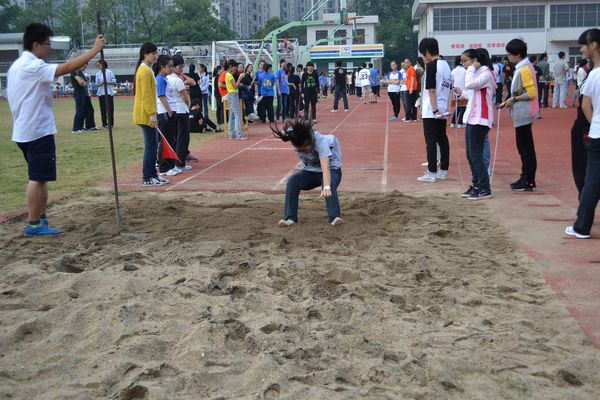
x,y
40,155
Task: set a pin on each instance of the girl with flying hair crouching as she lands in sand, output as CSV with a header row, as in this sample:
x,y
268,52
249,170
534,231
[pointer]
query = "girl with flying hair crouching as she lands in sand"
x,y
321,158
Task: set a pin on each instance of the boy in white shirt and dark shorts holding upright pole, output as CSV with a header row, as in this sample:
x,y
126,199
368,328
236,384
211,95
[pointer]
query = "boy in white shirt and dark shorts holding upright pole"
x,y
30,100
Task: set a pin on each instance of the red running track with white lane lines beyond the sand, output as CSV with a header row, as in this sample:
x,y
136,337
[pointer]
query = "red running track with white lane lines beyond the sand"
x,y
382,155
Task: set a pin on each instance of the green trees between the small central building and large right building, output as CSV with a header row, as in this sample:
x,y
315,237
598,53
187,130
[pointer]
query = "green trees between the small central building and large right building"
x,y
396,26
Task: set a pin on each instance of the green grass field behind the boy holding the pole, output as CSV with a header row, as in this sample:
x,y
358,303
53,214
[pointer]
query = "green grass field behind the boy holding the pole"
x,y
83,161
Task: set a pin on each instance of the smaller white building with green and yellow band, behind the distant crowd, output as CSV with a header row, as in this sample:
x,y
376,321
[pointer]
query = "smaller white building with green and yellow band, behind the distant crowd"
x,y
359,48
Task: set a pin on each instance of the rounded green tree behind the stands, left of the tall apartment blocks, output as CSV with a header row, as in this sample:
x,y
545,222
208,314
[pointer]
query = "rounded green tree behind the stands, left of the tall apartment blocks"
x,y
191,21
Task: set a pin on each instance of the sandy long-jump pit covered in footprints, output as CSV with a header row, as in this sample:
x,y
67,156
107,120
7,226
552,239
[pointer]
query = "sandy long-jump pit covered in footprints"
x,y
414,298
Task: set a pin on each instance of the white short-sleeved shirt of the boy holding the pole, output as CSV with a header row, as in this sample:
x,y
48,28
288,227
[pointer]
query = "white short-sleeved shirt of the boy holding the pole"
x,y
29,96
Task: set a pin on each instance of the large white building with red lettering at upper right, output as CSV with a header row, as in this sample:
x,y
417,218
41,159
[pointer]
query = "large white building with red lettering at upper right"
x,y
547,26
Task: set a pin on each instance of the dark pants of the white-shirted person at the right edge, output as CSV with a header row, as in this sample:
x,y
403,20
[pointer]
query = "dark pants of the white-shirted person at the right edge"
x,y
591,190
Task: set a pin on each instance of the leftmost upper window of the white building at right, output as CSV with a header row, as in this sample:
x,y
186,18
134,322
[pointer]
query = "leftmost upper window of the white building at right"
x,y
459,19
